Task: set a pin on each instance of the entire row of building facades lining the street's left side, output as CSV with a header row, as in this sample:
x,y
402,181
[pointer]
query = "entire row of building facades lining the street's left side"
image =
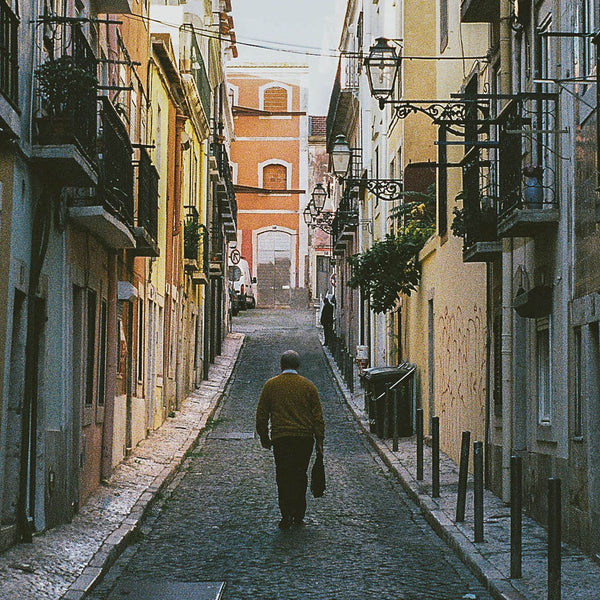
x,y
106,136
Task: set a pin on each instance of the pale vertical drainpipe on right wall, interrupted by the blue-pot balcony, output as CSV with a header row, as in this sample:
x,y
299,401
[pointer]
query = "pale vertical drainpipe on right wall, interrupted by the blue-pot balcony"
x,y
507,275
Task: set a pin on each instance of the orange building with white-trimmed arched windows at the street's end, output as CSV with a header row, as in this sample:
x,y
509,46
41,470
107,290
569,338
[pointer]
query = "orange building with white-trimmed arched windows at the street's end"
x,y
270,170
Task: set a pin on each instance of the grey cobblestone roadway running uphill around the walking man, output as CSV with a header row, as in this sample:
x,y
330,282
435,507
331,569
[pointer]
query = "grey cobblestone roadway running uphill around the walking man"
x,y
217,521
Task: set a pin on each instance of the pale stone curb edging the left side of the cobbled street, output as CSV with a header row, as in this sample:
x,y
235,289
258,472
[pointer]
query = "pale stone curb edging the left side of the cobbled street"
x,y
120,538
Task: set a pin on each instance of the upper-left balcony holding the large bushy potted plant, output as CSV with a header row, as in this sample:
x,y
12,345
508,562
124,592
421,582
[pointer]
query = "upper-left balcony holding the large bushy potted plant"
x,y
64,142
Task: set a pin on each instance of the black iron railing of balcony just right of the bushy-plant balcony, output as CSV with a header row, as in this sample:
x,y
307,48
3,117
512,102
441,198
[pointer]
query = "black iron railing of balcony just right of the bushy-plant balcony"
x,y
116,165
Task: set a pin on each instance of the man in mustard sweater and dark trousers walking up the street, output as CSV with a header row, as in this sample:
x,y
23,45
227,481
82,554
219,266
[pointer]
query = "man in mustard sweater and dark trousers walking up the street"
x,y
291,404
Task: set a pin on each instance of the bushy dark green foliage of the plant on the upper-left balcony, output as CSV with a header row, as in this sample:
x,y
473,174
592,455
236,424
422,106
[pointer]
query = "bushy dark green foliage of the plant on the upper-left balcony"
x,y
65,87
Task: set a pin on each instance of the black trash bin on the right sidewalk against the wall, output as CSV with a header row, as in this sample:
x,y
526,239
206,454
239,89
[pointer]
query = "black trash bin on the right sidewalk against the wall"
x,y
380,411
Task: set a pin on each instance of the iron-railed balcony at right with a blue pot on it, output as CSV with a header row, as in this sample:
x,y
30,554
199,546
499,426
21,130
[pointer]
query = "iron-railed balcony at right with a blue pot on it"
x,y
528,204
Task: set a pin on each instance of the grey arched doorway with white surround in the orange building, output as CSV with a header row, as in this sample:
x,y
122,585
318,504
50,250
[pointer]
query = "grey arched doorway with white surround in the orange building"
x,y
274,265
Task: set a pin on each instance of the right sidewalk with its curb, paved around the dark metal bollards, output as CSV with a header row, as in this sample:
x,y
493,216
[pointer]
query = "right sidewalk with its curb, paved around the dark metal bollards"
x,y
489,560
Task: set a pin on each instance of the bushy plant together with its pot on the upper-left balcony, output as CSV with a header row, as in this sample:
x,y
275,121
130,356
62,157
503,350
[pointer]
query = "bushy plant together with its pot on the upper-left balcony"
x,y
67,91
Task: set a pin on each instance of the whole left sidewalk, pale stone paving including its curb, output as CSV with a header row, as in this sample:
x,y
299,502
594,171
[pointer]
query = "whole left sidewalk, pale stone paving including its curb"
x,y
66,562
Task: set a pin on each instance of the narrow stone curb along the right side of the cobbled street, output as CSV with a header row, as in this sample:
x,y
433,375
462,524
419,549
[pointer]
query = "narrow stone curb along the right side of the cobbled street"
x,y
500,587
